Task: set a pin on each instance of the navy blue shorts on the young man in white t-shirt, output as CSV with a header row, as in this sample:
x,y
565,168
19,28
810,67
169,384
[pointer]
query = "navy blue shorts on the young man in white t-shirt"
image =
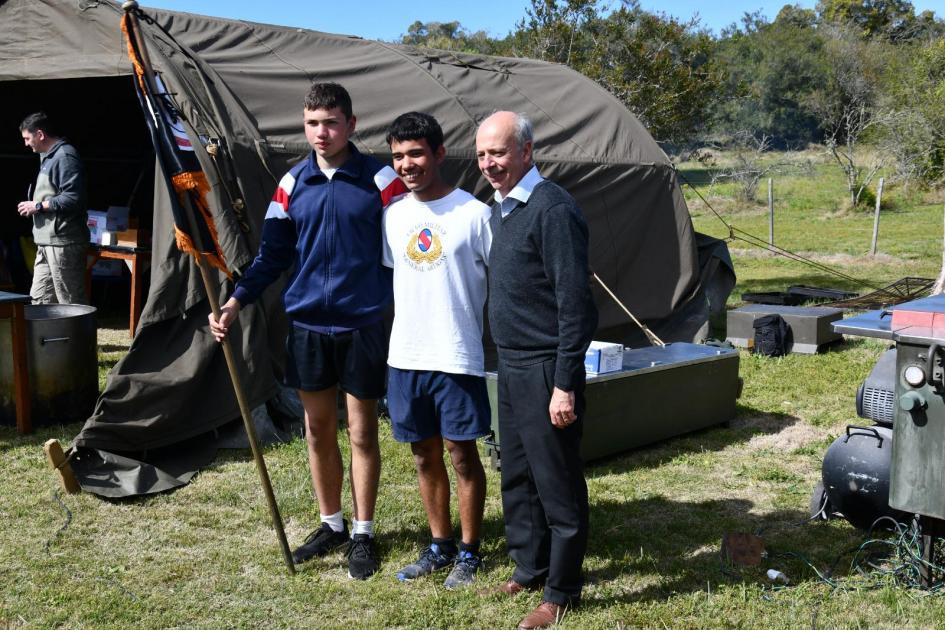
x,y
425,404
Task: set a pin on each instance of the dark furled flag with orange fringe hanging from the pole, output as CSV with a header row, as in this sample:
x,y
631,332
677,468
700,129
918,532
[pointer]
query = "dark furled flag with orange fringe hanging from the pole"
x,y
176,154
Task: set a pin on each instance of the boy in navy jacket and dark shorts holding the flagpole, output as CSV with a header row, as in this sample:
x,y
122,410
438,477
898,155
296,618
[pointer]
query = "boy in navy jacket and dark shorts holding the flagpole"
x,y
324,227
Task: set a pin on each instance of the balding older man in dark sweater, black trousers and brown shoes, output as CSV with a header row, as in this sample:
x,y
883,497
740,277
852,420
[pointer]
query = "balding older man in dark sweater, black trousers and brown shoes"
x,y
542,318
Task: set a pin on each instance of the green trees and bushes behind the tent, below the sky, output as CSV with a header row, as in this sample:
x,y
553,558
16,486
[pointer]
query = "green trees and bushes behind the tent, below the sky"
x,y
844,74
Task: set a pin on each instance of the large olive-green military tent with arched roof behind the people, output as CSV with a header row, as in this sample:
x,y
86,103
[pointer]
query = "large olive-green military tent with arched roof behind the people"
x,y
240,87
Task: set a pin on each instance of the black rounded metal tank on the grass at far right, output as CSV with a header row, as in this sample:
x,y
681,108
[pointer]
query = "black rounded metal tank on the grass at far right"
x,y
856,475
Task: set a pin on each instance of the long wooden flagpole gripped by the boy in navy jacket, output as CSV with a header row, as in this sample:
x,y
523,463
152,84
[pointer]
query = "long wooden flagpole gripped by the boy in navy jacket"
x,y
130,7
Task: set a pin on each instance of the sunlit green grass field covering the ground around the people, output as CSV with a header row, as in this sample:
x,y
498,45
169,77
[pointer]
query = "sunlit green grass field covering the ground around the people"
x,y
205,557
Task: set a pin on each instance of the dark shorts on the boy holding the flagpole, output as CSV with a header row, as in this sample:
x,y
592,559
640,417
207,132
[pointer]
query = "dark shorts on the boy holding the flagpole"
x,y
356,361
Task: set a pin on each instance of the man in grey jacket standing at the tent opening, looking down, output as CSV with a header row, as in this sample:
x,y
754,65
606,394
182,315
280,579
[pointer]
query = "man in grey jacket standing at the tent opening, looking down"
x,y
60,218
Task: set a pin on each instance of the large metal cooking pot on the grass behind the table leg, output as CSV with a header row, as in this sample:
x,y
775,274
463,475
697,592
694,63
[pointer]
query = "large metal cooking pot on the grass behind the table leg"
x,y
62,360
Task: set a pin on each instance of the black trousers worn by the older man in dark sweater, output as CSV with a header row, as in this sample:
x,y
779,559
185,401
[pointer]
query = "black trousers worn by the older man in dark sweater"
x,y
544,495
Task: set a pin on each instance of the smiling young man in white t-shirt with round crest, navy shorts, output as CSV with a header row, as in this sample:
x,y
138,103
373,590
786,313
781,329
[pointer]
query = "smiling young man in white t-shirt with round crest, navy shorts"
x,y
437,240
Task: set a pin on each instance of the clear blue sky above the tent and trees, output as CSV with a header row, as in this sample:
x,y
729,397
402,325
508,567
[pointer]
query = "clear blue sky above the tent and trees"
x,y
387,20
